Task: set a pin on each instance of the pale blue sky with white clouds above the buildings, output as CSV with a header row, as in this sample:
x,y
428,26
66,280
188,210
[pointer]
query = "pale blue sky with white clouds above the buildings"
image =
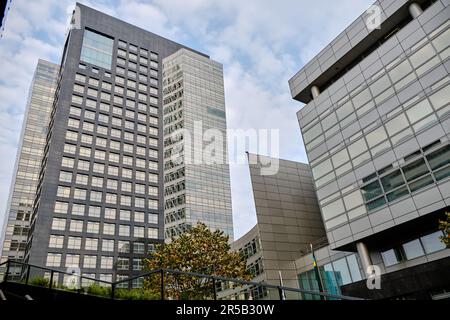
x,y
261,43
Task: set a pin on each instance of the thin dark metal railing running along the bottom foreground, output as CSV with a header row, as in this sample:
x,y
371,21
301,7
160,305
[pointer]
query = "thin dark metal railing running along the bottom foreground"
x,y
282,291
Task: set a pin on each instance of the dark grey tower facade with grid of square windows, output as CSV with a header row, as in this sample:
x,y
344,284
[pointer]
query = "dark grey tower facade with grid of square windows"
x,y
99,203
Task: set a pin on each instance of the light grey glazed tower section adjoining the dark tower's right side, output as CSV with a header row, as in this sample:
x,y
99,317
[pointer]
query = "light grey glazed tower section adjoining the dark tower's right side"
x,y
197,182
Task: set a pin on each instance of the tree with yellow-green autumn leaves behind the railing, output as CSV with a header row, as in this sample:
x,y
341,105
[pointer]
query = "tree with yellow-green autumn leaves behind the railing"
x,y
199,251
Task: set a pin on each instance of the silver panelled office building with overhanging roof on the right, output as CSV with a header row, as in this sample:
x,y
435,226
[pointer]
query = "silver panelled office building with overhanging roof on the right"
x,y
376,128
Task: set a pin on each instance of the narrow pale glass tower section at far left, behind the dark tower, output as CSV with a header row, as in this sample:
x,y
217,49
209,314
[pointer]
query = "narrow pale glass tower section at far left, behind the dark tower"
x,y
28,162
